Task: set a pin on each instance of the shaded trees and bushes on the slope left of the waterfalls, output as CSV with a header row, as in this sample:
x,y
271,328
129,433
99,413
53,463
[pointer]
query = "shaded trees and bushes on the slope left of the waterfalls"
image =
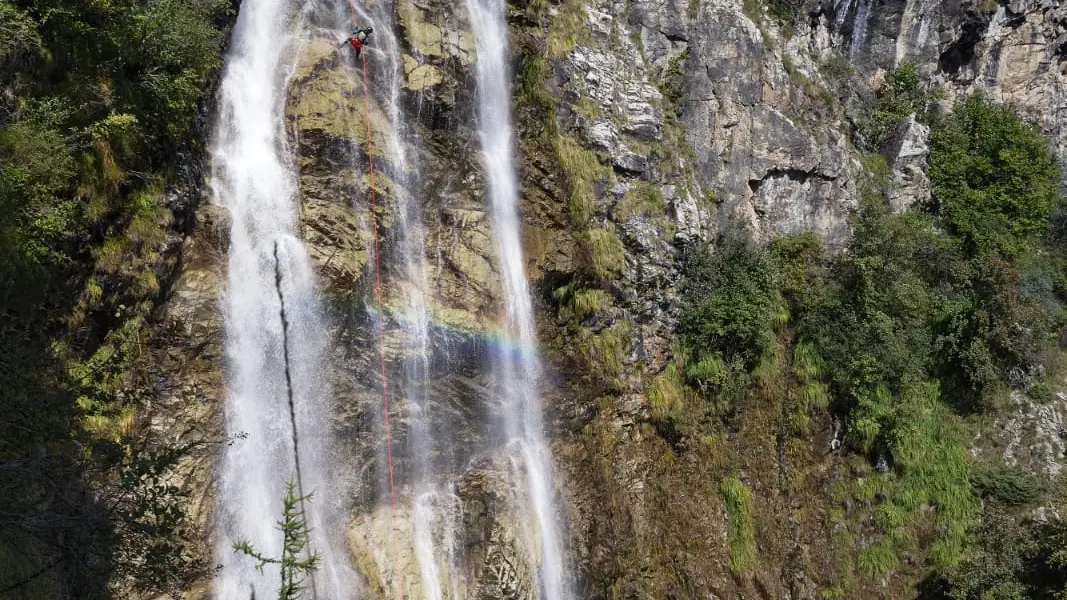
x,y
99,97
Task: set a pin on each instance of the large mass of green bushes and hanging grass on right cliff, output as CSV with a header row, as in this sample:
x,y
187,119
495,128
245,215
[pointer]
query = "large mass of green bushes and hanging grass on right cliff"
x,y
906,334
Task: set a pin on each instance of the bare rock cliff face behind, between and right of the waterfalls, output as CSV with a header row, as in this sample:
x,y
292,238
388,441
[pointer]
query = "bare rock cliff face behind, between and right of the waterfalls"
x,y
678,121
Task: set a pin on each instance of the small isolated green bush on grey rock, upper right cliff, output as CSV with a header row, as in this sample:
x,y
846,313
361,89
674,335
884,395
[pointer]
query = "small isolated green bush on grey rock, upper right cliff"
x,y
902,96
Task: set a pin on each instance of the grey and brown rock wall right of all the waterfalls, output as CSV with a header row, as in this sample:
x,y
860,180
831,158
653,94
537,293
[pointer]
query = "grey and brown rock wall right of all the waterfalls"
x,y
770,131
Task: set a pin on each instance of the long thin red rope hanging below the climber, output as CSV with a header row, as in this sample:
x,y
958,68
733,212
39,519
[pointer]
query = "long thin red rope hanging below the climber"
x,y
378,293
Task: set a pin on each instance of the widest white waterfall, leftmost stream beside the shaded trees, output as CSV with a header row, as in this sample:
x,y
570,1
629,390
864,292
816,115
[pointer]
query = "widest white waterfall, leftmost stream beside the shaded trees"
x,y
276,339
